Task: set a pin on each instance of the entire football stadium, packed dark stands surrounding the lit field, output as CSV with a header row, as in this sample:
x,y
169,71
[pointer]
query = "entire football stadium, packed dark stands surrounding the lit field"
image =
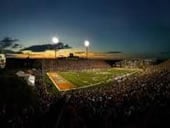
x,y
88,92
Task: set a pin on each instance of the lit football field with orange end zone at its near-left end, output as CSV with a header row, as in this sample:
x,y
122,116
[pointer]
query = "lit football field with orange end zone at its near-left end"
x,y
85,78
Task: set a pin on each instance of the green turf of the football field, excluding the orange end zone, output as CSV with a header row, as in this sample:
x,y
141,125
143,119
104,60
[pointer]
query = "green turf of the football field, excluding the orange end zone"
x,y
93,77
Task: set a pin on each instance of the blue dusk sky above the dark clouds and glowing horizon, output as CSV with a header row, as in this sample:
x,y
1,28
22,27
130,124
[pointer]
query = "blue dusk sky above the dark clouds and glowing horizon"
x,y
138,26
